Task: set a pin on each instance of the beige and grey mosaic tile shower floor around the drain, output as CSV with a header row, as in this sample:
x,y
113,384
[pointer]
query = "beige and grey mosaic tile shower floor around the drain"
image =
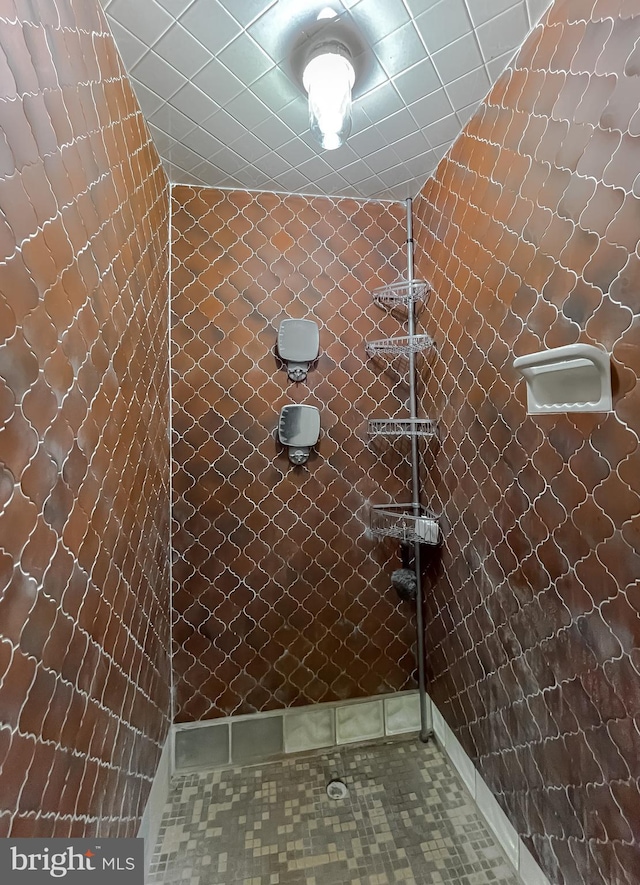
x,y
406,819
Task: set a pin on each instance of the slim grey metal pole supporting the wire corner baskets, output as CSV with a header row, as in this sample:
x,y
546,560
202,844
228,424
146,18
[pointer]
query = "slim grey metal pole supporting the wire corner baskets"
x,y
425,731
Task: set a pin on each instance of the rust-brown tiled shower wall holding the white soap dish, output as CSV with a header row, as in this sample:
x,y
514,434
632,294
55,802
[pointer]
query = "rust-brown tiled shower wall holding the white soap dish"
x,y
529,234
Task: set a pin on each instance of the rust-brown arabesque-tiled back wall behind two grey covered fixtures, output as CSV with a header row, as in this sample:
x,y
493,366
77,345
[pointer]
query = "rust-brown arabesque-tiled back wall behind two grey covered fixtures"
x,y
281,595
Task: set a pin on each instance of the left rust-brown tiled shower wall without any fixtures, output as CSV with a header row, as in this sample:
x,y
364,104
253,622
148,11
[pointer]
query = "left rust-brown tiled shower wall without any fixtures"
x,y
84,462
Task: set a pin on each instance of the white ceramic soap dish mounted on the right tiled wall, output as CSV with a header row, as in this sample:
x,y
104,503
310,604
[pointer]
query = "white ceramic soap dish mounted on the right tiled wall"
x,y
574,378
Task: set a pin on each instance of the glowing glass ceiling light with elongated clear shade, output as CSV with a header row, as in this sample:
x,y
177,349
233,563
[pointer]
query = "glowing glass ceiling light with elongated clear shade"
x,y
328,77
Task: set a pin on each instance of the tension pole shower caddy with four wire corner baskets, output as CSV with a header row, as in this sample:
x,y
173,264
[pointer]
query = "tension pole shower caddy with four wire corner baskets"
x,y
409,523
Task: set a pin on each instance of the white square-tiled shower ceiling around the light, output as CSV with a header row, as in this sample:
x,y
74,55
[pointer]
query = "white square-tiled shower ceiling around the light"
x,y
223,81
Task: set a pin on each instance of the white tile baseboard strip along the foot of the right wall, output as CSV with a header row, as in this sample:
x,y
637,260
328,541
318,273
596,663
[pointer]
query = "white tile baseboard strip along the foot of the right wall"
x,y
495,818
